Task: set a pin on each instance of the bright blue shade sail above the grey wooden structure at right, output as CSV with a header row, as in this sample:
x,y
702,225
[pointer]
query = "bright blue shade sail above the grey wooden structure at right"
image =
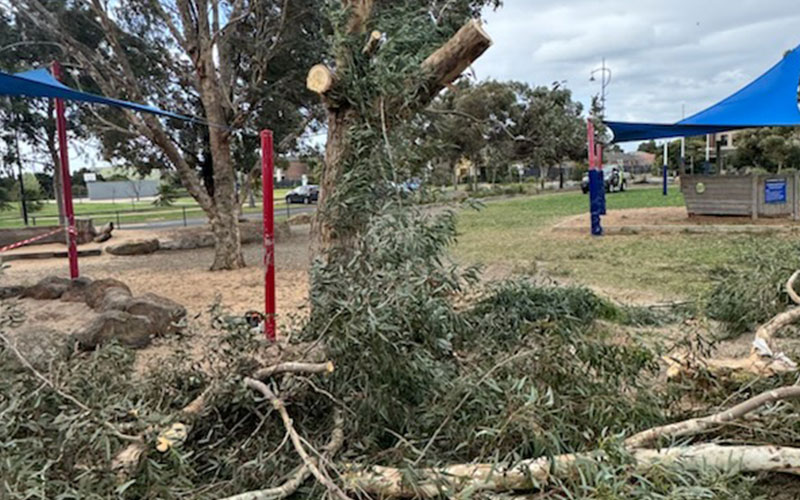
x,y
768,101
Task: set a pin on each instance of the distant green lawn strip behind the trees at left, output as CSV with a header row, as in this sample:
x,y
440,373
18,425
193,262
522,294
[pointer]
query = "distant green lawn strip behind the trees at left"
x,y
129,211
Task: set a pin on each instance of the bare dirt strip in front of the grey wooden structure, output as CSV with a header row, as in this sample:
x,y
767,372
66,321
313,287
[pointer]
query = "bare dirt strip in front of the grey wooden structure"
x,y
665,216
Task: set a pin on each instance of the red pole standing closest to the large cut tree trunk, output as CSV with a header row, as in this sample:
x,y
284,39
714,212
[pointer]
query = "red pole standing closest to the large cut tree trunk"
x,y
267,166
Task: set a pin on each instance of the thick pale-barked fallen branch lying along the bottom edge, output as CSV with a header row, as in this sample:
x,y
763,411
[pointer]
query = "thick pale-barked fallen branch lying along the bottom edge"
x,y
526,475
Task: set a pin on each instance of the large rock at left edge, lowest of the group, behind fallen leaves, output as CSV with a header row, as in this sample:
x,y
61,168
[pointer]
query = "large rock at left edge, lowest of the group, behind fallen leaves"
x,y
40,346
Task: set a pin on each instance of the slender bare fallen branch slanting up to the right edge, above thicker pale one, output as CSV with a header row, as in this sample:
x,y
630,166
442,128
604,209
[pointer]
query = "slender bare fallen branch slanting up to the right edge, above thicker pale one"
x,y
698,425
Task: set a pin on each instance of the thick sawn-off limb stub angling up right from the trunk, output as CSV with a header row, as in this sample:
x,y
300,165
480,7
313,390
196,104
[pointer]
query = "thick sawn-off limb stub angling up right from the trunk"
x,y
452,58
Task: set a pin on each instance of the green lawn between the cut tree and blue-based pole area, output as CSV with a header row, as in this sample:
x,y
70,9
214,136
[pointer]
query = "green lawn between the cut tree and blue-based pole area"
x,y
517,233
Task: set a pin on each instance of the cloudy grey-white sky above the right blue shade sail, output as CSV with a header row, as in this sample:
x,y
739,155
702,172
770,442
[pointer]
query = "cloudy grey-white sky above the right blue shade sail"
x,y
663,54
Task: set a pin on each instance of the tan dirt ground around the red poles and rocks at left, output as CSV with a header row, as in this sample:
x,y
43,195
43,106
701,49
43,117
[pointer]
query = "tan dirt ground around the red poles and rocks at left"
x,y
182,276
